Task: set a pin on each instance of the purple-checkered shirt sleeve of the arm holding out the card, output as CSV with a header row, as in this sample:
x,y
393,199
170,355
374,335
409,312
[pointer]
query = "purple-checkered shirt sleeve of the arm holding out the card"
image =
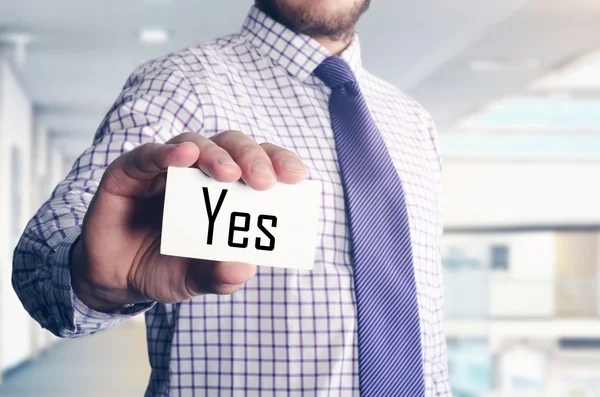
x,y
157,103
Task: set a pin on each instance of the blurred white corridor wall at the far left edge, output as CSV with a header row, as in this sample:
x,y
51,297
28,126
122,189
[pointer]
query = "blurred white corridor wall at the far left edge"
x,y
15,209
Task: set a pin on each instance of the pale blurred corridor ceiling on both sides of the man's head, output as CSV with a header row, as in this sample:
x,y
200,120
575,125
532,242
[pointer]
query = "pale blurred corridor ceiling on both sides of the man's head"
x,y
453,56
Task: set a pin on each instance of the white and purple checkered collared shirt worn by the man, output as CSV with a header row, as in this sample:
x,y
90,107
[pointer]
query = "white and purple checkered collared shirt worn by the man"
x,y
288,332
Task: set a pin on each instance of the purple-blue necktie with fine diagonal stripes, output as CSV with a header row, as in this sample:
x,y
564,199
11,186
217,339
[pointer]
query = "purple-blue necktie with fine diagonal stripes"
x,y
389,343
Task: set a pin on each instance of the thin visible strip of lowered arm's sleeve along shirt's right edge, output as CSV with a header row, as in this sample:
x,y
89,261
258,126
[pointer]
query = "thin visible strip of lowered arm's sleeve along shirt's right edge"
x,y
440,374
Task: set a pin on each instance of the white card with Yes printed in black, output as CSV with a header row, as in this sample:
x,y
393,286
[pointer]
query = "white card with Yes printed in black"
x,y
218,221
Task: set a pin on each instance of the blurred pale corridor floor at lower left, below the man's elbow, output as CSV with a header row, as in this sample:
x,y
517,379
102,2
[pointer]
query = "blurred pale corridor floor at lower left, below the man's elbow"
x,y
112,363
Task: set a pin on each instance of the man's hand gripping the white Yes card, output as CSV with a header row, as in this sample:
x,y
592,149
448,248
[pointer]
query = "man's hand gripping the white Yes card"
x,y
117,260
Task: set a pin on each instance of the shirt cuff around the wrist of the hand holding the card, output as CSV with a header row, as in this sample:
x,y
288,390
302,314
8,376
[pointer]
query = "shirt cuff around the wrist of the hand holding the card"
x,y
75,316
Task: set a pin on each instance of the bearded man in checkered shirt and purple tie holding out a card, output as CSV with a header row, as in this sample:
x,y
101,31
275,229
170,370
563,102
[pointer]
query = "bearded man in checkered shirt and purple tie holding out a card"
x,y
367,320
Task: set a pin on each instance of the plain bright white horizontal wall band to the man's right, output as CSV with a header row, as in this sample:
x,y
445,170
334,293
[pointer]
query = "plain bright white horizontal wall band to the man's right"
x,y
515,192
